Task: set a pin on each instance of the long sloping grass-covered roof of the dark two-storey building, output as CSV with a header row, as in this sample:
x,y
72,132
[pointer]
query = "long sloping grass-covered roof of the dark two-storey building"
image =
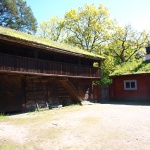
x,y
47,43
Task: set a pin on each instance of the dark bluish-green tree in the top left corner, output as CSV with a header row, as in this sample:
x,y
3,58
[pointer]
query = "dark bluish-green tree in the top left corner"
x,y
17,15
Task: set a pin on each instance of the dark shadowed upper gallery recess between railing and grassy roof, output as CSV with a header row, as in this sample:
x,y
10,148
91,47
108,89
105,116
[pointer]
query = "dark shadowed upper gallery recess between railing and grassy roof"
x,y
21,50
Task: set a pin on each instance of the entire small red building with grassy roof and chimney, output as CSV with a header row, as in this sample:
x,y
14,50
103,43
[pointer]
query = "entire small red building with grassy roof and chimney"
x,y
131,81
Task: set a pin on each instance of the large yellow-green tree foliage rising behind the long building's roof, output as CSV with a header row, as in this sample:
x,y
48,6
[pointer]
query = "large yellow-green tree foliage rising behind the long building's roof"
x,y
88,28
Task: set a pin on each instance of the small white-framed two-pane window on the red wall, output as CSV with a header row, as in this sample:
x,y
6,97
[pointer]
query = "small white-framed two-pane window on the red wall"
x,y
130,85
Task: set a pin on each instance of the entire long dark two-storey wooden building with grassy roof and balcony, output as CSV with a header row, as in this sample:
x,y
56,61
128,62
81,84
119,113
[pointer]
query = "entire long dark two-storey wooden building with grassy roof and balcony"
x,y
36,73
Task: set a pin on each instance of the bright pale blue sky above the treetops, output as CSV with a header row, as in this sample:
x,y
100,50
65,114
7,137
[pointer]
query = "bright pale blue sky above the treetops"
x,y
134,12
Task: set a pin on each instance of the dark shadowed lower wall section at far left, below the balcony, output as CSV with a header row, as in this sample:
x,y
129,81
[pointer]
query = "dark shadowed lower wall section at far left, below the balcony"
x,y
11,93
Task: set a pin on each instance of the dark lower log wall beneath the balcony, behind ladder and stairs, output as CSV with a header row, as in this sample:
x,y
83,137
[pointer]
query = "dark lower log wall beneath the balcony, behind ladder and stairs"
x,y
16,91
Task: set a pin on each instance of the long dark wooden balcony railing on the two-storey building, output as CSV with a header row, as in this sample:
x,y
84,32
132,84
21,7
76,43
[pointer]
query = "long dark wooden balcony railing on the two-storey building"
x,y
31,65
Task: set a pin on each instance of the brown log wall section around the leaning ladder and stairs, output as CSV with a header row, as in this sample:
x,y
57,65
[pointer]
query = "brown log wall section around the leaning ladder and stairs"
x,y
56,93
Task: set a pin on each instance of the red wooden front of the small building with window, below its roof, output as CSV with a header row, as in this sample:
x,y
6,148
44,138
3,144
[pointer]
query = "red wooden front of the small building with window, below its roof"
x,y
131,87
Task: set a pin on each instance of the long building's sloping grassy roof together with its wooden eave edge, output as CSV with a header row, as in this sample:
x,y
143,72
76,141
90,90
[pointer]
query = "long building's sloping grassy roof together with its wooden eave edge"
x,y
44,44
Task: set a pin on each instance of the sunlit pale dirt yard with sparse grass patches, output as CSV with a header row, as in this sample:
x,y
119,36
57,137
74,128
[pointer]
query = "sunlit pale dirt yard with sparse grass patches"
x,y
88,127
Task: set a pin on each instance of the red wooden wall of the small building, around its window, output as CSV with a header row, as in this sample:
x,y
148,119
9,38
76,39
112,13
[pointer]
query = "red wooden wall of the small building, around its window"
x,y
142,93
